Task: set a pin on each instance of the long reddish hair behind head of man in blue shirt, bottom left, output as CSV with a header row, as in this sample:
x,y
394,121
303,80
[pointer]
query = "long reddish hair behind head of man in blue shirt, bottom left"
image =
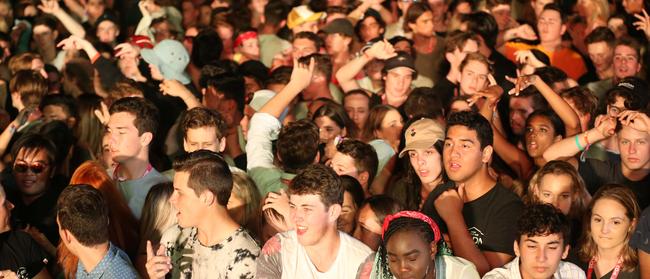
x,y
122,229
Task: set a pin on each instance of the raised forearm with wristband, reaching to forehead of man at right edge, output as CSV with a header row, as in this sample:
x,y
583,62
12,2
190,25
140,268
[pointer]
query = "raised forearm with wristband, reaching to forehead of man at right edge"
x,y
570,146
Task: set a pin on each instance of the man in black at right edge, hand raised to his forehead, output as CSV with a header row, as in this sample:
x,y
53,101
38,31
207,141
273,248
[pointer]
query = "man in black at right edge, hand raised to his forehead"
x,y
633,167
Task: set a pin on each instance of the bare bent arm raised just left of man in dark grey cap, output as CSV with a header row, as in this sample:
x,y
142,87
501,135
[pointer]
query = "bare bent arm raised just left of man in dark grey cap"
x,y
346,74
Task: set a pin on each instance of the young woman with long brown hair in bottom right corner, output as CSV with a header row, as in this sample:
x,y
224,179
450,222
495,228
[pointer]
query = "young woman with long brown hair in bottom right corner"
x,y
605,250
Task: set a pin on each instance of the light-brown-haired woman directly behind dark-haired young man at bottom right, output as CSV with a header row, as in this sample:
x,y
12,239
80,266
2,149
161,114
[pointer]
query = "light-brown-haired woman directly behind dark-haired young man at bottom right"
x,y
559,184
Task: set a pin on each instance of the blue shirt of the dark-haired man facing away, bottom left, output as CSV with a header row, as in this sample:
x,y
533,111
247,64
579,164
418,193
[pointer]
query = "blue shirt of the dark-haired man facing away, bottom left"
x,y
114,265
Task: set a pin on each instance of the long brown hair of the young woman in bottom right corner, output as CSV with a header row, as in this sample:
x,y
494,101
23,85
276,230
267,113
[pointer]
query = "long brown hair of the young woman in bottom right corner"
x,y
626,198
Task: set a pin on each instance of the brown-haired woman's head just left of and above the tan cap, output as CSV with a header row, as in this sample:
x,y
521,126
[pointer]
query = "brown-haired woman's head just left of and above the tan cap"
x,y
385,123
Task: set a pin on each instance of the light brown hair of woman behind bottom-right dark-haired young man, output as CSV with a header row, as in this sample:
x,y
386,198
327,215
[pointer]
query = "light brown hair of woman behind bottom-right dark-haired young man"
x,y
579,195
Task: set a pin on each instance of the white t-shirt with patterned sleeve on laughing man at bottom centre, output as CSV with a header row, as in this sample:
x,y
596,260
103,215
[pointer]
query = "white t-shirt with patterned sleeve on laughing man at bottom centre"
x,y
284,257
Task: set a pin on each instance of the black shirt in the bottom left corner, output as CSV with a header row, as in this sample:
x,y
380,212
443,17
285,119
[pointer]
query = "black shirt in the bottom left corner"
x,y
21,254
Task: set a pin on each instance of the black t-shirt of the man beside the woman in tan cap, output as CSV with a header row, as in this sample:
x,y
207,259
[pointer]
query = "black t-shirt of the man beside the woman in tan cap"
x,y
492,219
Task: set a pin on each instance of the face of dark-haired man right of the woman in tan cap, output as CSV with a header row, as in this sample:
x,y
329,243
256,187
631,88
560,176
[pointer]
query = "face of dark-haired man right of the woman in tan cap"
x,y
462,154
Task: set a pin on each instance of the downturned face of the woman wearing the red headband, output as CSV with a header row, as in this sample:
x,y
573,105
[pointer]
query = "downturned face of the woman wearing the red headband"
x,y
409,255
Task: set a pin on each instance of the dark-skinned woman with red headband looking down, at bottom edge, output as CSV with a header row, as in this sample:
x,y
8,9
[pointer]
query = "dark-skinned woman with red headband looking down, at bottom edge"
x,y
408,250
